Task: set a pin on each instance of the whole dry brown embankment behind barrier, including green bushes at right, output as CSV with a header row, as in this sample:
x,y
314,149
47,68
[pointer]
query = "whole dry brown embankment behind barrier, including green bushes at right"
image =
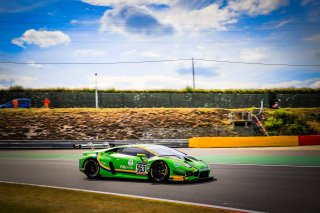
x,y
120,124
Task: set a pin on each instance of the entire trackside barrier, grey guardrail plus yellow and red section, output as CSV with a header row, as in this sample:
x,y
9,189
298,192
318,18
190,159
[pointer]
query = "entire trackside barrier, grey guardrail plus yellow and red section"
x,y
203,142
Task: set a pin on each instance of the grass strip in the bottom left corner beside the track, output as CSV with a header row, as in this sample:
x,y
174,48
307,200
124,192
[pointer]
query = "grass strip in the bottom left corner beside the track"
x,y
26,198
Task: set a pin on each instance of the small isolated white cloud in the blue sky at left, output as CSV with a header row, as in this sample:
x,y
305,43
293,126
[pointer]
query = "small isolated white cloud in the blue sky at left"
x,y
42,38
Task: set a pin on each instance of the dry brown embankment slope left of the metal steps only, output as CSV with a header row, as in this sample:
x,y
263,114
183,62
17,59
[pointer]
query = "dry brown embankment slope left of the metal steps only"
x,y
69,124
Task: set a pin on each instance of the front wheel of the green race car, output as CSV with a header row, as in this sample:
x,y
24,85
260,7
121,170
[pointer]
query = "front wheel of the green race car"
x,y
159,172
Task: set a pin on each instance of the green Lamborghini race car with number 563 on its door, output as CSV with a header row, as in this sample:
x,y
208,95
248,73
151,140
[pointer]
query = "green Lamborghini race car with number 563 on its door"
x,y
143,161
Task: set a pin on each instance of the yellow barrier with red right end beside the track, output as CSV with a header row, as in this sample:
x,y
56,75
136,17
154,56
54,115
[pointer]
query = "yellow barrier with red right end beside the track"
x,y
263,141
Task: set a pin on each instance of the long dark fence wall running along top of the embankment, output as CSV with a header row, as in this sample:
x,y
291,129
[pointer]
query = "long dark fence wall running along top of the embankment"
x,y
118,100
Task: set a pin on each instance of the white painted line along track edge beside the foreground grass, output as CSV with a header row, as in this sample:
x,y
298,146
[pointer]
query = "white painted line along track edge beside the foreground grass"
x,y
135,196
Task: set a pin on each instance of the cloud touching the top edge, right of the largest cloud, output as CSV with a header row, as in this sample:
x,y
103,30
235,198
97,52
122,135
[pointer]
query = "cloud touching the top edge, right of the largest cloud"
x,y
256,7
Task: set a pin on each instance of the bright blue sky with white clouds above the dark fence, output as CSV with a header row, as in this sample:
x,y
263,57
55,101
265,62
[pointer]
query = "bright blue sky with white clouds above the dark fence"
x,y
43,35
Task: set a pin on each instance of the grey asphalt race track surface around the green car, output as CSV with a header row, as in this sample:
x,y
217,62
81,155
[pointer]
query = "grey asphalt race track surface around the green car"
x,y
250,187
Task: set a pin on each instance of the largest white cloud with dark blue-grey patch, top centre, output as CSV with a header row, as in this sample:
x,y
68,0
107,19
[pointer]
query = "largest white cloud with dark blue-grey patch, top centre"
x,y
164,22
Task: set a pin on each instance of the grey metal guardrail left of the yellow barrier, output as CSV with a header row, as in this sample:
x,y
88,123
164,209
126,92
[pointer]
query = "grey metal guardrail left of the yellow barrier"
x,y
71,144
